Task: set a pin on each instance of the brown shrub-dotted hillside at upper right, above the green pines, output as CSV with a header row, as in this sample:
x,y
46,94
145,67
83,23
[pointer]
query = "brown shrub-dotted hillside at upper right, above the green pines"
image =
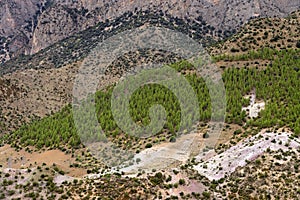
x,y
275,33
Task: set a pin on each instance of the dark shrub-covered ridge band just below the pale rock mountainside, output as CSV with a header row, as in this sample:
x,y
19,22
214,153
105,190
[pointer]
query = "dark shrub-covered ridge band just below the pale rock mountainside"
x,y
78,46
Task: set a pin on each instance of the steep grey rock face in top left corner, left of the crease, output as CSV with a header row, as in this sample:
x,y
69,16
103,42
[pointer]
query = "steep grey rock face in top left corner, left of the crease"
x,y
17,24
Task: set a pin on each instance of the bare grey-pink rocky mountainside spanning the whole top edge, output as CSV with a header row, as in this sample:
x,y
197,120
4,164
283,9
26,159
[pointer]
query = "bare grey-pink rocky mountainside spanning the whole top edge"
x,y
28,26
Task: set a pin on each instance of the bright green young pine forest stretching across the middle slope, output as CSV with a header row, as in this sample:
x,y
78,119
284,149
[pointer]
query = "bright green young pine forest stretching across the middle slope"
x,y
278,85
